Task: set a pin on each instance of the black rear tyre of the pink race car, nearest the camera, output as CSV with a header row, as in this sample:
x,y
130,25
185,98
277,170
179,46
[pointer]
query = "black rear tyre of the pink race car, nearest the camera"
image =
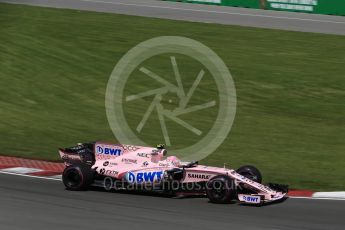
x,y
77,177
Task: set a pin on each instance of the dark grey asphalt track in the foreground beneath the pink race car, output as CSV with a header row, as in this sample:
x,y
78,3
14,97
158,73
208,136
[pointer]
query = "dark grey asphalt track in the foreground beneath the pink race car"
x,y
33,203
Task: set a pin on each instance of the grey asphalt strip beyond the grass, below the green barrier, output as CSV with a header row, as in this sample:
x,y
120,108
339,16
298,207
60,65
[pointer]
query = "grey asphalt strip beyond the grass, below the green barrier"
x,y
204,13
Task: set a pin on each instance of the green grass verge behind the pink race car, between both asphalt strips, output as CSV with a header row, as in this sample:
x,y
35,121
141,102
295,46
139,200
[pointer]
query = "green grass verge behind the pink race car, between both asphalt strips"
x,y
290,122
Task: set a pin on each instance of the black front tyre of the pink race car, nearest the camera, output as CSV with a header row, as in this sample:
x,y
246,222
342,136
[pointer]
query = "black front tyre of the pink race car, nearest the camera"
x,y
221,189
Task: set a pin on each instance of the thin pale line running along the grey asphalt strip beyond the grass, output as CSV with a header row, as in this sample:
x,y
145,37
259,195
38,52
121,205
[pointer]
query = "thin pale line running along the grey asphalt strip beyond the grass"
x,y
212,11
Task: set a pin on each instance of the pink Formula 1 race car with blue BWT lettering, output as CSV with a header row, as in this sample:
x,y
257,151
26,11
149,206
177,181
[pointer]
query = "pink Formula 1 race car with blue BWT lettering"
x,y
117,166
